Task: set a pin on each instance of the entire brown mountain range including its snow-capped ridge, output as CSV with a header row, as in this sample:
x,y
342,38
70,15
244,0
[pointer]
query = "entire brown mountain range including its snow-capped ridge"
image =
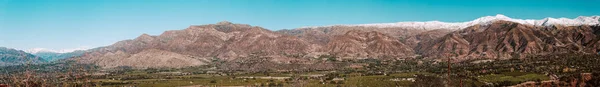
x,y
490,37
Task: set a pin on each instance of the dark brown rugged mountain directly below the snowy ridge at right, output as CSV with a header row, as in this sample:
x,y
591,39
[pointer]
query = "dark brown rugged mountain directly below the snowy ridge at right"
x,y
505,39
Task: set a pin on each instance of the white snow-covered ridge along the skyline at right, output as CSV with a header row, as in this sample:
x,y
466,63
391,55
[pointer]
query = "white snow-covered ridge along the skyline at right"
x,y
431,25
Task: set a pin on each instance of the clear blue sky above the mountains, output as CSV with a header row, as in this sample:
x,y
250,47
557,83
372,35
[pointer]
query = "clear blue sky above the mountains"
x,y
65,24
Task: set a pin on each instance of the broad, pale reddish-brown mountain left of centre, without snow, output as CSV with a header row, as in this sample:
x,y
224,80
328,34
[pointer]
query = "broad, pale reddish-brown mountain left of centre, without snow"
x,y
197,44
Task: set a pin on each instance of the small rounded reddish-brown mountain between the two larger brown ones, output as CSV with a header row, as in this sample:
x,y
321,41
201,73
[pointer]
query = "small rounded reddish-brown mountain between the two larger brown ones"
x,y
359,44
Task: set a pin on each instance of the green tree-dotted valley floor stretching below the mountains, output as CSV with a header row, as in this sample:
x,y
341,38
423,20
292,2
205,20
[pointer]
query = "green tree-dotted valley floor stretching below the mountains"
x,y
325,73
